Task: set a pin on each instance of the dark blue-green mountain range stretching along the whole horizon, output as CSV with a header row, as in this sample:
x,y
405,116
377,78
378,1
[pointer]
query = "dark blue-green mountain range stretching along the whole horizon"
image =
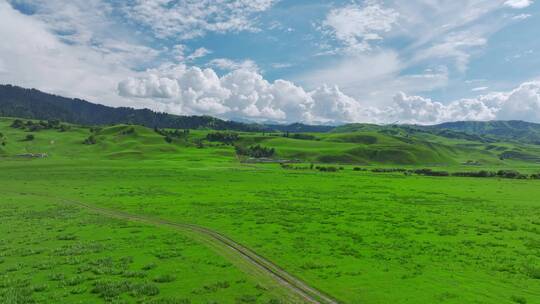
x,y
34,104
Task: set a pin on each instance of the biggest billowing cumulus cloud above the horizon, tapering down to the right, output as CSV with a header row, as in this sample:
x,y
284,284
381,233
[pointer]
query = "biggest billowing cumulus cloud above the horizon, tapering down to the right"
x,y
242,93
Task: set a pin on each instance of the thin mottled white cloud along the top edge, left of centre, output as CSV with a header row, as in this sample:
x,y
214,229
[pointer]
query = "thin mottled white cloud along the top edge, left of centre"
x,y
191,19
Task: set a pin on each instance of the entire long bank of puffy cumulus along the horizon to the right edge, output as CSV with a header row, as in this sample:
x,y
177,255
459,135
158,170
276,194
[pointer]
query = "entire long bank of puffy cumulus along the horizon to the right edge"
x,y
246,94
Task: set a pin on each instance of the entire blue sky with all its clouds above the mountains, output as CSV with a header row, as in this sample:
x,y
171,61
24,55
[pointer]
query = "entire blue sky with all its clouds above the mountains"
x,y
418,61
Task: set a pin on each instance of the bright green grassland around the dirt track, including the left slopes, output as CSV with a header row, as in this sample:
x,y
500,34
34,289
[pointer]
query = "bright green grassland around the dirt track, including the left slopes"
x,y
358,236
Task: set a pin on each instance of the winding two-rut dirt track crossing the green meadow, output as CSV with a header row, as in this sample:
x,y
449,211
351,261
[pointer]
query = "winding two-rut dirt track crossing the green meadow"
x,y
295,285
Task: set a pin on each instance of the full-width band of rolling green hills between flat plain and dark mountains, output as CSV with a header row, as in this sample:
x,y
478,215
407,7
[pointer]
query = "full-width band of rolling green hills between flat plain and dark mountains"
x,y
367,145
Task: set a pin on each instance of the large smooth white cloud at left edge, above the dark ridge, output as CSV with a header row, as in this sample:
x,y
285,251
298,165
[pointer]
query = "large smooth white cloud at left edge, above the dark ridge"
x,y
32,56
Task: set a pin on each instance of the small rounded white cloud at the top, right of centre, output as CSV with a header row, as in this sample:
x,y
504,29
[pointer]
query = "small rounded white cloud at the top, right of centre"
x,y
356,26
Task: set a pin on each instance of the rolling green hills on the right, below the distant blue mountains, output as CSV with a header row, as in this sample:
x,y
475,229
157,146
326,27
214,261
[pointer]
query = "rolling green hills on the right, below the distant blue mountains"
x,y
372,144
